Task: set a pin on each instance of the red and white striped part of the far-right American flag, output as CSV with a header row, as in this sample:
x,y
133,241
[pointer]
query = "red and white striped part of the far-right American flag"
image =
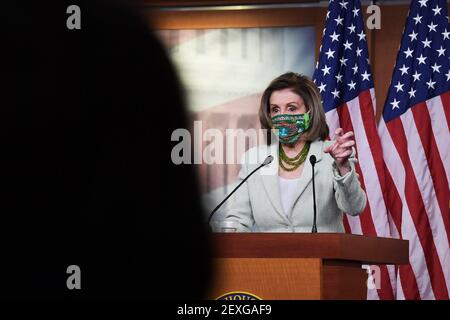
x,y
416,153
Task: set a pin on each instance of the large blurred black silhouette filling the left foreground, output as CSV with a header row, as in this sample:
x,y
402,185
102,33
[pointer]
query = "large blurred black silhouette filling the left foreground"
x,y
86,177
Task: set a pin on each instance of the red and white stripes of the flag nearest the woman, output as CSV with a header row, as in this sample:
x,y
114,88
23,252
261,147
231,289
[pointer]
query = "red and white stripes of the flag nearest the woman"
x,y
358,116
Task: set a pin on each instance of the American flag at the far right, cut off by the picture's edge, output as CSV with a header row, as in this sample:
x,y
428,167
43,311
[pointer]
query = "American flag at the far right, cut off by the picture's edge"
x,y
414,132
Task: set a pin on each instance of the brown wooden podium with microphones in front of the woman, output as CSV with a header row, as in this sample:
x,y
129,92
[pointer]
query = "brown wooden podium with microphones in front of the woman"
x,y
298,266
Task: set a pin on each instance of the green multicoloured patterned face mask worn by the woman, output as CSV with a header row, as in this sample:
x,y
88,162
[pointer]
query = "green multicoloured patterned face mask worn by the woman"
x,y
291,126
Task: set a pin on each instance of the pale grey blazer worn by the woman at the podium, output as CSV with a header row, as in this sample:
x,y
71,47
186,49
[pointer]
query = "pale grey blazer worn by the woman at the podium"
x,y
256,206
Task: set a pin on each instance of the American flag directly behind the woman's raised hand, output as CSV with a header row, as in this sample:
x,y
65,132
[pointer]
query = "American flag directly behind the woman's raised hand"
x,y
344,79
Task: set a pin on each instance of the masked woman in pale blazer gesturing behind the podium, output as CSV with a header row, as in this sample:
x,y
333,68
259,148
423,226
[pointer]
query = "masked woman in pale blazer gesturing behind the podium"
x,y
279,197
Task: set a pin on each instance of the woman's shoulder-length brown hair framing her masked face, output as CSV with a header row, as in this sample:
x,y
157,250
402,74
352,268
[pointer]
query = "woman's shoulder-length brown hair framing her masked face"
x,y
305,88
